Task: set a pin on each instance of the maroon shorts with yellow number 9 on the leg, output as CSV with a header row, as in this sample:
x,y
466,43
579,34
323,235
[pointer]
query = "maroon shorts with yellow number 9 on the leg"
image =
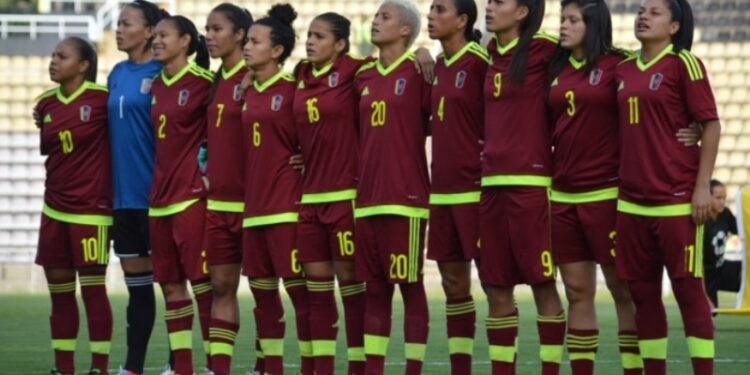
x,y
515,236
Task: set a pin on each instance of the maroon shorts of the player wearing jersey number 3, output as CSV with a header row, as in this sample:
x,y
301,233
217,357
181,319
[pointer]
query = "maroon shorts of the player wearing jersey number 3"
x,y
584,232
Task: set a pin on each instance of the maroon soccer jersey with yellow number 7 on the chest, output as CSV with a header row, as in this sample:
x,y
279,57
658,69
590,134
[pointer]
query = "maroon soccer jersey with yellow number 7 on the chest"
x,y
225,147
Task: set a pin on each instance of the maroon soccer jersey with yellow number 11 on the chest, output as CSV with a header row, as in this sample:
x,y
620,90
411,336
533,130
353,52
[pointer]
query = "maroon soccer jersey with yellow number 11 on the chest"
x,y
655,100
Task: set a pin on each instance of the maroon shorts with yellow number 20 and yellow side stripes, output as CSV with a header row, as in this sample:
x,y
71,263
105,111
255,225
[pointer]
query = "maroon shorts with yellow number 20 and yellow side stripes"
x,y
390,248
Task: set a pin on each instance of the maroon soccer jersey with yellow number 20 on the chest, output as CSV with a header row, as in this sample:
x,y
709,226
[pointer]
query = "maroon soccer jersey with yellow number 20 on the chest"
x,y
394,110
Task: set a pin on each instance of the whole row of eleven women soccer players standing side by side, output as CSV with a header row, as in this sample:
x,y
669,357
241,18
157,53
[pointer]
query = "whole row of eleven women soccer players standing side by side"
x,y
545,150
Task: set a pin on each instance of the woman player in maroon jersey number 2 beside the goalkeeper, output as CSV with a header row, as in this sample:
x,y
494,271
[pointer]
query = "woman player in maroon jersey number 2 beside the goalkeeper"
x,y
177,201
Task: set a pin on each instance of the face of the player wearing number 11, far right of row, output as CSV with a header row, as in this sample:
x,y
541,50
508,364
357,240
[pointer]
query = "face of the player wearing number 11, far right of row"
x,y
654,22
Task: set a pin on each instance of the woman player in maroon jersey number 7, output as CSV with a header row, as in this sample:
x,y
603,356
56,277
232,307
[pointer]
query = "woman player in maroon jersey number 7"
x,y
226,34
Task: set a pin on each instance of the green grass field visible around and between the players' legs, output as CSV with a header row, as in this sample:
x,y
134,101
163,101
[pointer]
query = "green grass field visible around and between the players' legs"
x,y
24,332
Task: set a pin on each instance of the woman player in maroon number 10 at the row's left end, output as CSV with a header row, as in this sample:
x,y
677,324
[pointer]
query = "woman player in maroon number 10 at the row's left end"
x,y
74,234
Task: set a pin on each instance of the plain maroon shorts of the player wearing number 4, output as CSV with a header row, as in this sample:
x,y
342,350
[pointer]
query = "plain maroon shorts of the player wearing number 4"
x,y
453,233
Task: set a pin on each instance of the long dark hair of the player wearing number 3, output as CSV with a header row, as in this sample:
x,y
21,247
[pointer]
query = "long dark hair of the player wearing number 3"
x,y
596,42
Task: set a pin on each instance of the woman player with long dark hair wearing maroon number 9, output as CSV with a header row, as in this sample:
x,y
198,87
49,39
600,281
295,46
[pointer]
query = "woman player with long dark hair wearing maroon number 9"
x,y
516,173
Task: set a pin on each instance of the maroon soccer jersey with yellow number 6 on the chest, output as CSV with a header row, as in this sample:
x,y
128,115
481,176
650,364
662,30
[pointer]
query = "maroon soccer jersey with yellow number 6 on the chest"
x,y
272,186
